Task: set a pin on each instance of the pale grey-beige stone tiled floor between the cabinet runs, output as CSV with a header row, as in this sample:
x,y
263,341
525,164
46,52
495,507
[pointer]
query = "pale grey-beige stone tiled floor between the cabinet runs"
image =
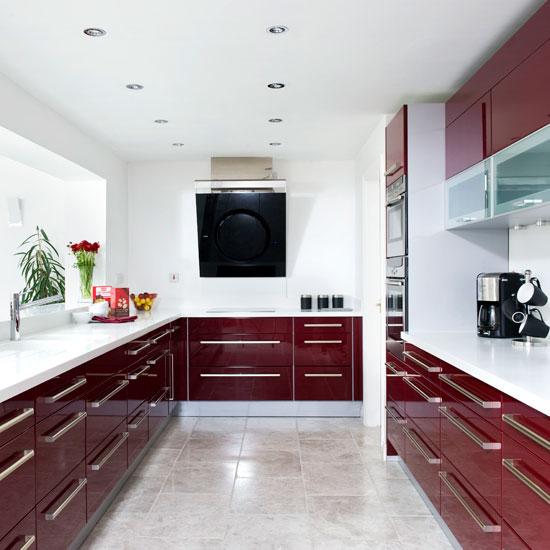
x,y
267,483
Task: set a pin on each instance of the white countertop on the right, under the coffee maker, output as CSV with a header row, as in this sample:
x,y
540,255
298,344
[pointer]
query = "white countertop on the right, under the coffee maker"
x,y
523,374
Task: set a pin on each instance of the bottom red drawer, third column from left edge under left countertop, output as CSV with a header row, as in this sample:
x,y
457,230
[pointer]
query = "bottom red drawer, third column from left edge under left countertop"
x,y
105,467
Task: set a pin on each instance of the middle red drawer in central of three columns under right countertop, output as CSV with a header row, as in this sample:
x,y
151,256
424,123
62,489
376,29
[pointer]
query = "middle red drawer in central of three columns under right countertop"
x,y
473,446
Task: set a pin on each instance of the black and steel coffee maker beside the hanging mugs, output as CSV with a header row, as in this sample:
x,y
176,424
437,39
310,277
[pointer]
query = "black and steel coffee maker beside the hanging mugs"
x,y
497,304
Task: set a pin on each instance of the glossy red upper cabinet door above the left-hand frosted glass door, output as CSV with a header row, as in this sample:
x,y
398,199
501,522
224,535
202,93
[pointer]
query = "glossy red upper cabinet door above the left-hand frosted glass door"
x,y
468,138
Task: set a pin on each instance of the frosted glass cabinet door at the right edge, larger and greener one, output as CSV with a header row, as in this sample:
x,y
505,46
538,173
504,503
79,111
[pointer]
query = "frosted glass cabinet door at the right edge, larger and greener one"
x,y
522,173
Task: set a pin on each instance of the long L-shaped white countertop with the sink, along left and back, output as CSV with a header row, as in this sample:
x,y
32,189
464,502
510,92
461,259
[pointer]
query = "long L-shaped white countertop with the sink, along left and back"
x,y
40,356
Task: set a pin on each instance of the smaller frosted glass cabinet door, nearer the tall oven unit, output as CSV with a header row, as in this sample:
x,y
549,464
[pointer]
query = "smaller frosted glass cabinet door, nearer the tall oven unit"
x,y
467,196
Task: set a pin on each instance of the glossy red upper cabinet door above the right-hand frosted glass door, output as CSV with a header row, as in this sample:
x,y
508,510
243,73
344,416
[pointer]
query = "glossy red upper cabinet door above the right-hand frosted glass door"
x,y
521,101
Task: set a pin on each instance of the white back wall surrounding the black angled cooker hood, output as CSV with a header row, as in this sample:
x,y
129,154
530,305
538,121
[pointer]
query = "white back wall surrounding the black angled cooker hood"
x,y
321,231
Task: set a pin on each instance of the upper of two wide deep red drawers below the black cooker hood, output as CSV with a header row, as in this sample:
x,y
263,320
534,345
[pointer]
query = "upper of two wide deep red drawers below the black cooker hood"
x,y
221,350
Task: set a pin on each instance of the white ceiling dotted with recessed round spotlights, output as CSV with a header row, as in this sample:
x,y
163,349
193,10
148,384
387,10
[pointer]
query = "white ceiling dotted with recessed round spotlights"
x,y
205,66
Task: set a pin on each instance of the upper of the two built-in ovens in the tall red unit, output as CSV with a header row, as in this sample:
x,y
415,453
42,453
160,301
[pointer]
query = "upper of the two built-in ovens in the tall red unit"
x,y
396,218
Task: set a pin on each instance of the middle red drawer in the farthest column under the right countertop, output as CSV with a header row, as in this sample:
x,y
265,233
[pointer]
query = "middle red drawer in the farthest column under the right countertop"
x,y
422,401
